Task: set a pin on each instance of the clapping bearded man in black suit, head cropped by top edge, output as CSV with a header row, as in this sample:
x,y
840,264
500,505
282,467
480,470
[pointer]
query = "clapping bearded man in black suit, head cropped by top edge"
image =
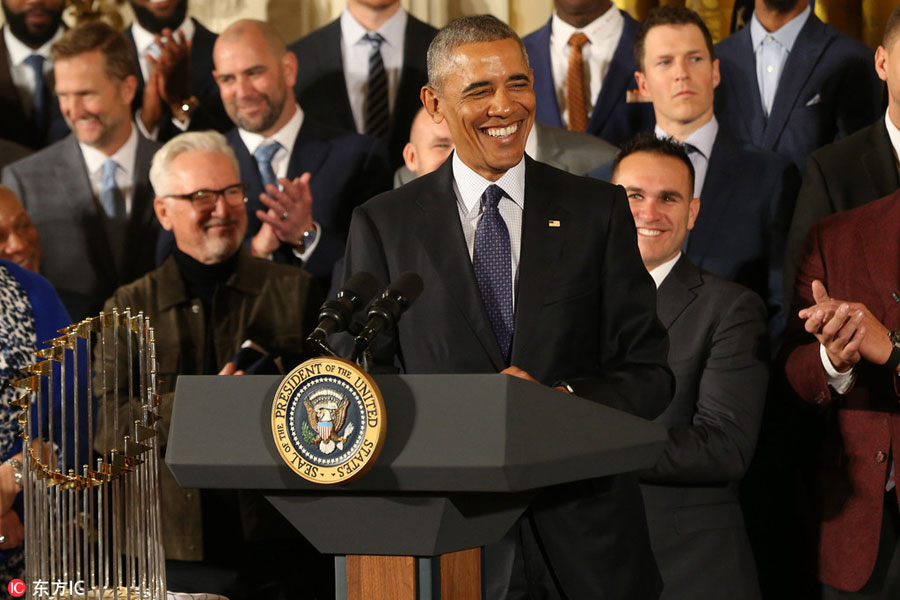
x,y
176,89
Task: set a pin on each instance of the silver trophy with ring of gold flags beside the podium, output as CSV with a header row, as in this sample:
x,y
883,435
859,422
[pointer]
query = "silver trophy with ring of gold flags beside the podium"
x,y
92,529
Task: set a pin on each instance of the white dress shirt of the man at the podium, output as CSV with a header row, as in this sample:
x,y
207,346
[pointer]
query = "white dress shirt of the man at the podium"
x,y
469,187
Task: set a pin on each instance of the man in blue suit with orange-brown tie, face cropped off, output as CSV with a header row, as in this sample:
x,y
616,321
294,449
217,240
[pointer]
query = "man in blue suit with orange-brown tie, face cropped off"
x,y
606,69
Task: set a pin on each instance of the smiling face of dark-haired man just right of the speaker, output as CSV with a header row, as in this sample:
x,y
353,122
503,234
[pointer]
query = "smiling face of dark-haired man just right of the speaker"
x,y
659,192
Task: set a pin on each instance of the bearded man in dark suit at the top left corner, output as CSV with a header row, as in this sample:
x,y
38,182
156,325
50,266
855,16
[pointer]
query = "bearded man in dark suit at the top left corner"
x,y
30,113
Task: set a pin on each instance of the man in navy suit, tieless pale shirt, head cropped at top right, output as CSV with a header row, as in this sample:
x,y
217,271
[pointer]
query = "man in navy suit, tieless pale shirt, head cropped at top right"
x,y
792,84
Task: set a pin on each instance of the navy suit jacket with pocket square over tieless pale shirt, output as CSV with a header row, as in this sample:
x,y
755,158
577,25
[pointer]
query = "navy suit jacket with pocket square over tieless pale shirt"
x,y
828,90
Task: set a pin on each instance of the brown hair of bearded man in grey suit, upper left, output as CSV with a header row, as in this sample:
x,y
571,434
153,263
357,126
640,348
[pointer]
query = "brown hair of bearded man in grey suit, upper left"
x,y
118,55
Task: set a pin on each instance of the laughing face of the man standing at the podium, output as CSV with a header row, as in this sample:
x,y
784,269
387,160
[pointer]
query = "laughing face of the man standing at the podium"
x,y
488,102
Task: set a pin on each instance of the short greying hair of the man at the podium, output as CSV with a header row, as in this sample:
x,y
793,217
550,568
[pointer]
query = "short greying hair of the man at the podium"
x,y
465,30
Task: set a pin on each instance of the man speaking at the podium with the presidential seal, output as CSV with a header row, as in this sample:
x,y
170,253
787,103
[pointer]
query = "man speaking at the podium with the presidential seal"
x,y
531,272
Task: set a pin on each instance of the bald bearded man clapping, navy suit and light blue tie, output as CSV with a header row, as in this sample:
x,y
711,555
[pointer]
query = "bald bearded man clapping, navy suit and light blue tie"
x,y
305,177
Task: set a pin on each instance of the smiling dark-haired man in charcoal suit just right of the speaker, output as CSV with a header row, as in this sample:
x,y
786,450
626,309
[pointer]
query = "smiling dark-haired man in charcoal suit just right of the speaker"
x,y
717,350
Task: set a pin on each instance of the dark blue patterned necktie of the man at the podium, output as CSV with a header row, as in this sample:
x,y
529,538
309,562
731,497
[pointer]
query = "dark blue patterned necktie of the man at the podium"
x,y
493,268
